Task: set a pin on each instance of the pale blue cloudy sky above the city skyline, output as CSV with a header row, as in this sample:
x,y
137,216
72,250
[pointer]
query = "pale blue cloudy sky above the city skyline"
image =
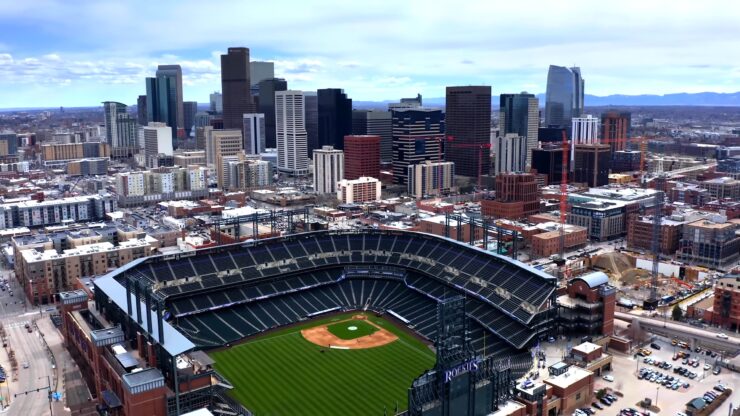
x,y
79,53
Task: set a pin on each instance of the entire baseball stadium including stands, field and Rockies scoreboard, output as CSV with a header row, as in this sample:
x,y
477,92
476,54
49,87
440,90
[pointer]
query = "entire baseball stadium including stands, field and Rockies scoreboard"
x,y
335,323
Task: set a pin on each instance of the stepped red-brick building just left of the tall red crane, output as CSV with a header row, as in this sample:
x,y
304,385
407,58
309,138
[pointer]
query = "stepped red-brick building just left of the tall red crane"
x,y
516,197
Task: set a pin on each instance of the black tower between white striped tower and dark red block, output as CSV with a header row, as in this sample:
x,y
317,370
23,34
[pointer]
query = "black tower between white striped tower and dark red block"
x,y
335,118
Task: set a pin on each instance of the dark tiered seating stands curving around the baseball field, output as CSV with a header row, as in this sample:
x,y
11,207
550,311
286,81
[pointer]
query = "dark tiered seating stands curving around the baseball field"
x,y
219,296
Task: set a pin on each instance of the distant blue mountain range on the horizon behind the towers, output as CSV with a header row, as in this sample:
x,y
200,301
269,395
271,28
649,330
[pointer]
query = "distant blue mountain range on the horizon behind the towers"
x,y
678,99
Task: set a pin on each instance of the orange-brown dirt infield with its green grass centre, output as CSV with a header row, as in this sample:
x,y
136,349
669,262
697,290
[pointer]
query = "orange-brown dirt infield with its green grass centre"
x,y
357,332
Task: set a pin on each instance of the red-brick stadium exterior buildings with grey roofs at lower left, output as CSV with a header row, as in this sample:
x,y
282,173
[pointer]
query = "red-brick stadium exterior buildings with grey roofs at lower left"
x,y
122,372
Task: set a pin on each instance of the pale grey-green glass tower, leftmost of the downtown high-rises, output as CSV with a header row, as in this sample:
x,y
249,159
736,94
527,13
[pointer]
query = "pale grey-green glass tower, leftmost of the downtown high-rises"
x,y
120,130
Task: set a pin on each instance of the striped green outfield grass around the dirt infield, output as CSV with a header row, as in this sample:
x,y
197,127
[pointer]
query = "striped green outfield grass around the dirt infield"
x,y
283,374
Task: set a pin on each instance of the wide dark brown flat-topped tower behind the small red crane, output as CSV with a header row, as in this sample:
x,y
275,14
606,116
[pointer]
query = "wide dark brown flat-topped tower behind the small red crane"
x,y
468,124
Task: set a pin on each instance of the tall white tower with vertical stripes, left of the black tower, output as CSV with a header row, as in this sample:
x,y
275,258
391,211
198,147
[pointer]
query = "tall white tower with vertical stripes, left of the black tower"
x,y
290,129
